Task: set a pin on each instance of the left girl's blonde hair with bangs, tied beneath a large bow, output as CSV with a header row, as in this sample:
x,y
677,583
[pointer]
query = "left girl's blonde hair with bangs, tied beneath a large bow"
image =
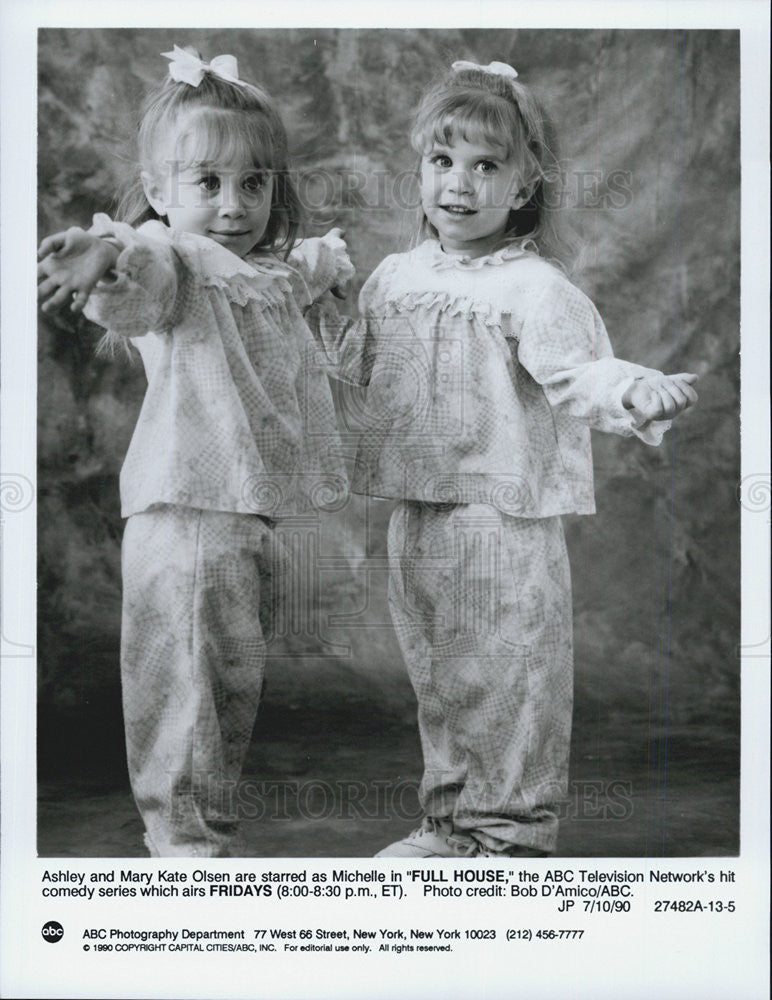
x,y
213,120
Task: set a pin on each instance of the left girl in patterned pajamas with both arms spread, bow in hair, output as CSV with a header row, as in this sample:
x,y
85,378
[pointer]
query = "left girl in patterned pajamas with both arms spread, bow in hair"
x,y
237,428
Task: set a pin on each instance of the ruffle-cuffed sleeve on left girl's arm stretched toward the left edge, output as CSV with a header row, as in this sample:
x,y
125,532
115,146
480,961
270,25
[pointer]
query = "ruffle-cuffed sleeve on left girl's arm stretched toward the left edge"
x,y
144,293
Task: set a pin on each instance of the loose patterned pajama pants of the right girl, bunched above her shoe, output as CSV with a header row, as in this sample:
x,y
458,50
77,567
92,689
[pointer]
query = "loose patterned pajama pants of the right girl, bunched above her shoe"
x,y
481,604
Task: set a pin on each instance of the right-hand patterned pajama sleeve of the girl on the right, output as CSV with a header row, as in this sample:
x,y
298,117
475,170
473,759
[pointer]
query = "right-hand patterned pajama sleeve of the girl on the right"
x,y
564,346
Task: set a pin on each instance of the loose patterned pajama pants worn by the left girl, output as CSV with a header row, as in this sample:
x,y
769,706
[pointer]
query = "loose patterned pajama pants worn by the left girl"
x,y
199,596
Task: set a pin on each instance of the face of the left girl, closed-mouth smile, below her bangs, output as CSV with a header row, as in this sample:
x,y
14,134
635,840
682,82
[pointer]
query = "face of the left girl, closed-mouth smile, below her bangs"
x,y
228,200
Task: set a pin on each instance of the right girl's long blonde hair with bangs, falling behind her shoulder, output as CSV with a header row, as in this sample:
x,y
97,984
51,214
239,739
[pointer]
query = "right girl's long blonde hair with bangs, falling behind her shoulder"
x,y
472,104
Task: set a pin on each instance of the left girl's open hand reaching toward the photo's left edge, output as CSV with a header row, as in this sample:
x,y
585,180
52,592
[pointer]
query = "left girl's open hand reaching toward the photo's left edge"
x,y
71,263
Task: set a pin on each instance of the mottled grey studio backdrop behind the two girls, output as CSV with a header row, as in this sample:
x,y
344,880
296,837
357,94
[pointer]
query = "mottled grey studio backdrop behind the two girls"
x,y
650,124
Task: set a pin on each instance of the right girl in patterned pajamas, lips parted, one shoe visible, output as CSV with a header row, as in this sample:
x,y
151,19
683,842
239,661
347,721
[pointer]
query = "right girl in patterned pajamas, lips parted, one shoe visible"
x,y
486,370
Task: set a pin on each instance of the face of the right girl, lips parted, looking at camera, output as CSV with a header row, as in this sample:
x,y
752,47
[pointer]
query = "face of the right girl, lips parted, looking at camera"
x,y
468,190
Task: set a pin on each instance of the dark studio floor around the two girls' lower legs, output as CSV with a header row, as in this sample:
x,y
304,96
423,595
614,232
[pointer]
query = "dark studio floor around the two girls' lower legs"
x,y
342,782
